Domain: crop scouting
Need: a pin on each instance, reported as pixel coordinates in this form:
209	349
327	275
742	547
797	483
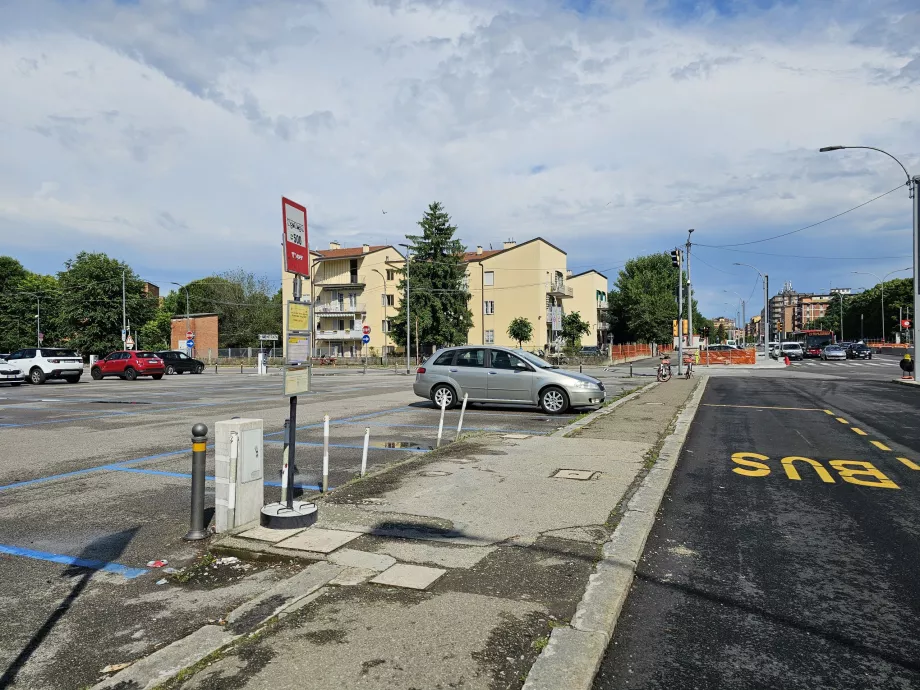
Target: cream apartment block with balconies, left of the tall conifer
351	287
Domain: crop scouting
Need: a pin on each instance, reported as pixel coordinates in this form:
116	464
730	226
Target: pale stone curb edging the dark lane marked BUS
574	653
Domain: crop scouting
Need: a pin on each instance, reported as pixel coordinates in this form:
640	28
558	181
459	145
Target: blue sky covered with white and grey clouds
165	132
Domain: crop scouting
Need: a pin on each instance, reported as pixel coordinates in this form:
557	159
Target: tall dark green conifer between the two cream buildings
439	301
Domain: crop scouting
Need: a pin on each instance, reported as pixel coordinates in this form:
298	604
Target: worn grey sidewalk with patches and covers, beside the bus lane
452	569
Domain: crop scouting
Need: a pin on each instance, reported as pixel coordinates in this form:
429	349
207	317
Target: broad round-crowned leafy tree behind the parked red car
91	302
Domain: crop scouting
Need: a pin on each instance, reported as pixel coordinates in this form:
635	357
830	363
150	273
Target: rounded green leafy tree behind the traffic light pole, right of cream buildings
643	303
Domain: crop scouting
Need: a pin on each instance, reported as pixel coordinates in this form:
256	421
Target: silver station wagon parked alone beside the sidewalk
503	375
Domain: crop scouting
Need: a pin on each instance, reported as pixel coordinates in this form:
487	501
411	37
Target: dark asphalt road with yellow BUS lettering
765	573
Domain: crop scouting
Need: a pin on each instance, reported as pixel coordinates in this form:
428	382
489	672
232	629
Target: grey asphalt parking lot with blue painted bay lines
100	472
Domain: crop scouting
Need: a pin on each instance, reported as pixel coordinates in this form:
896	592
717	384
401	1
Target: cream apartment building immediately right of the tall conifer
526	279
